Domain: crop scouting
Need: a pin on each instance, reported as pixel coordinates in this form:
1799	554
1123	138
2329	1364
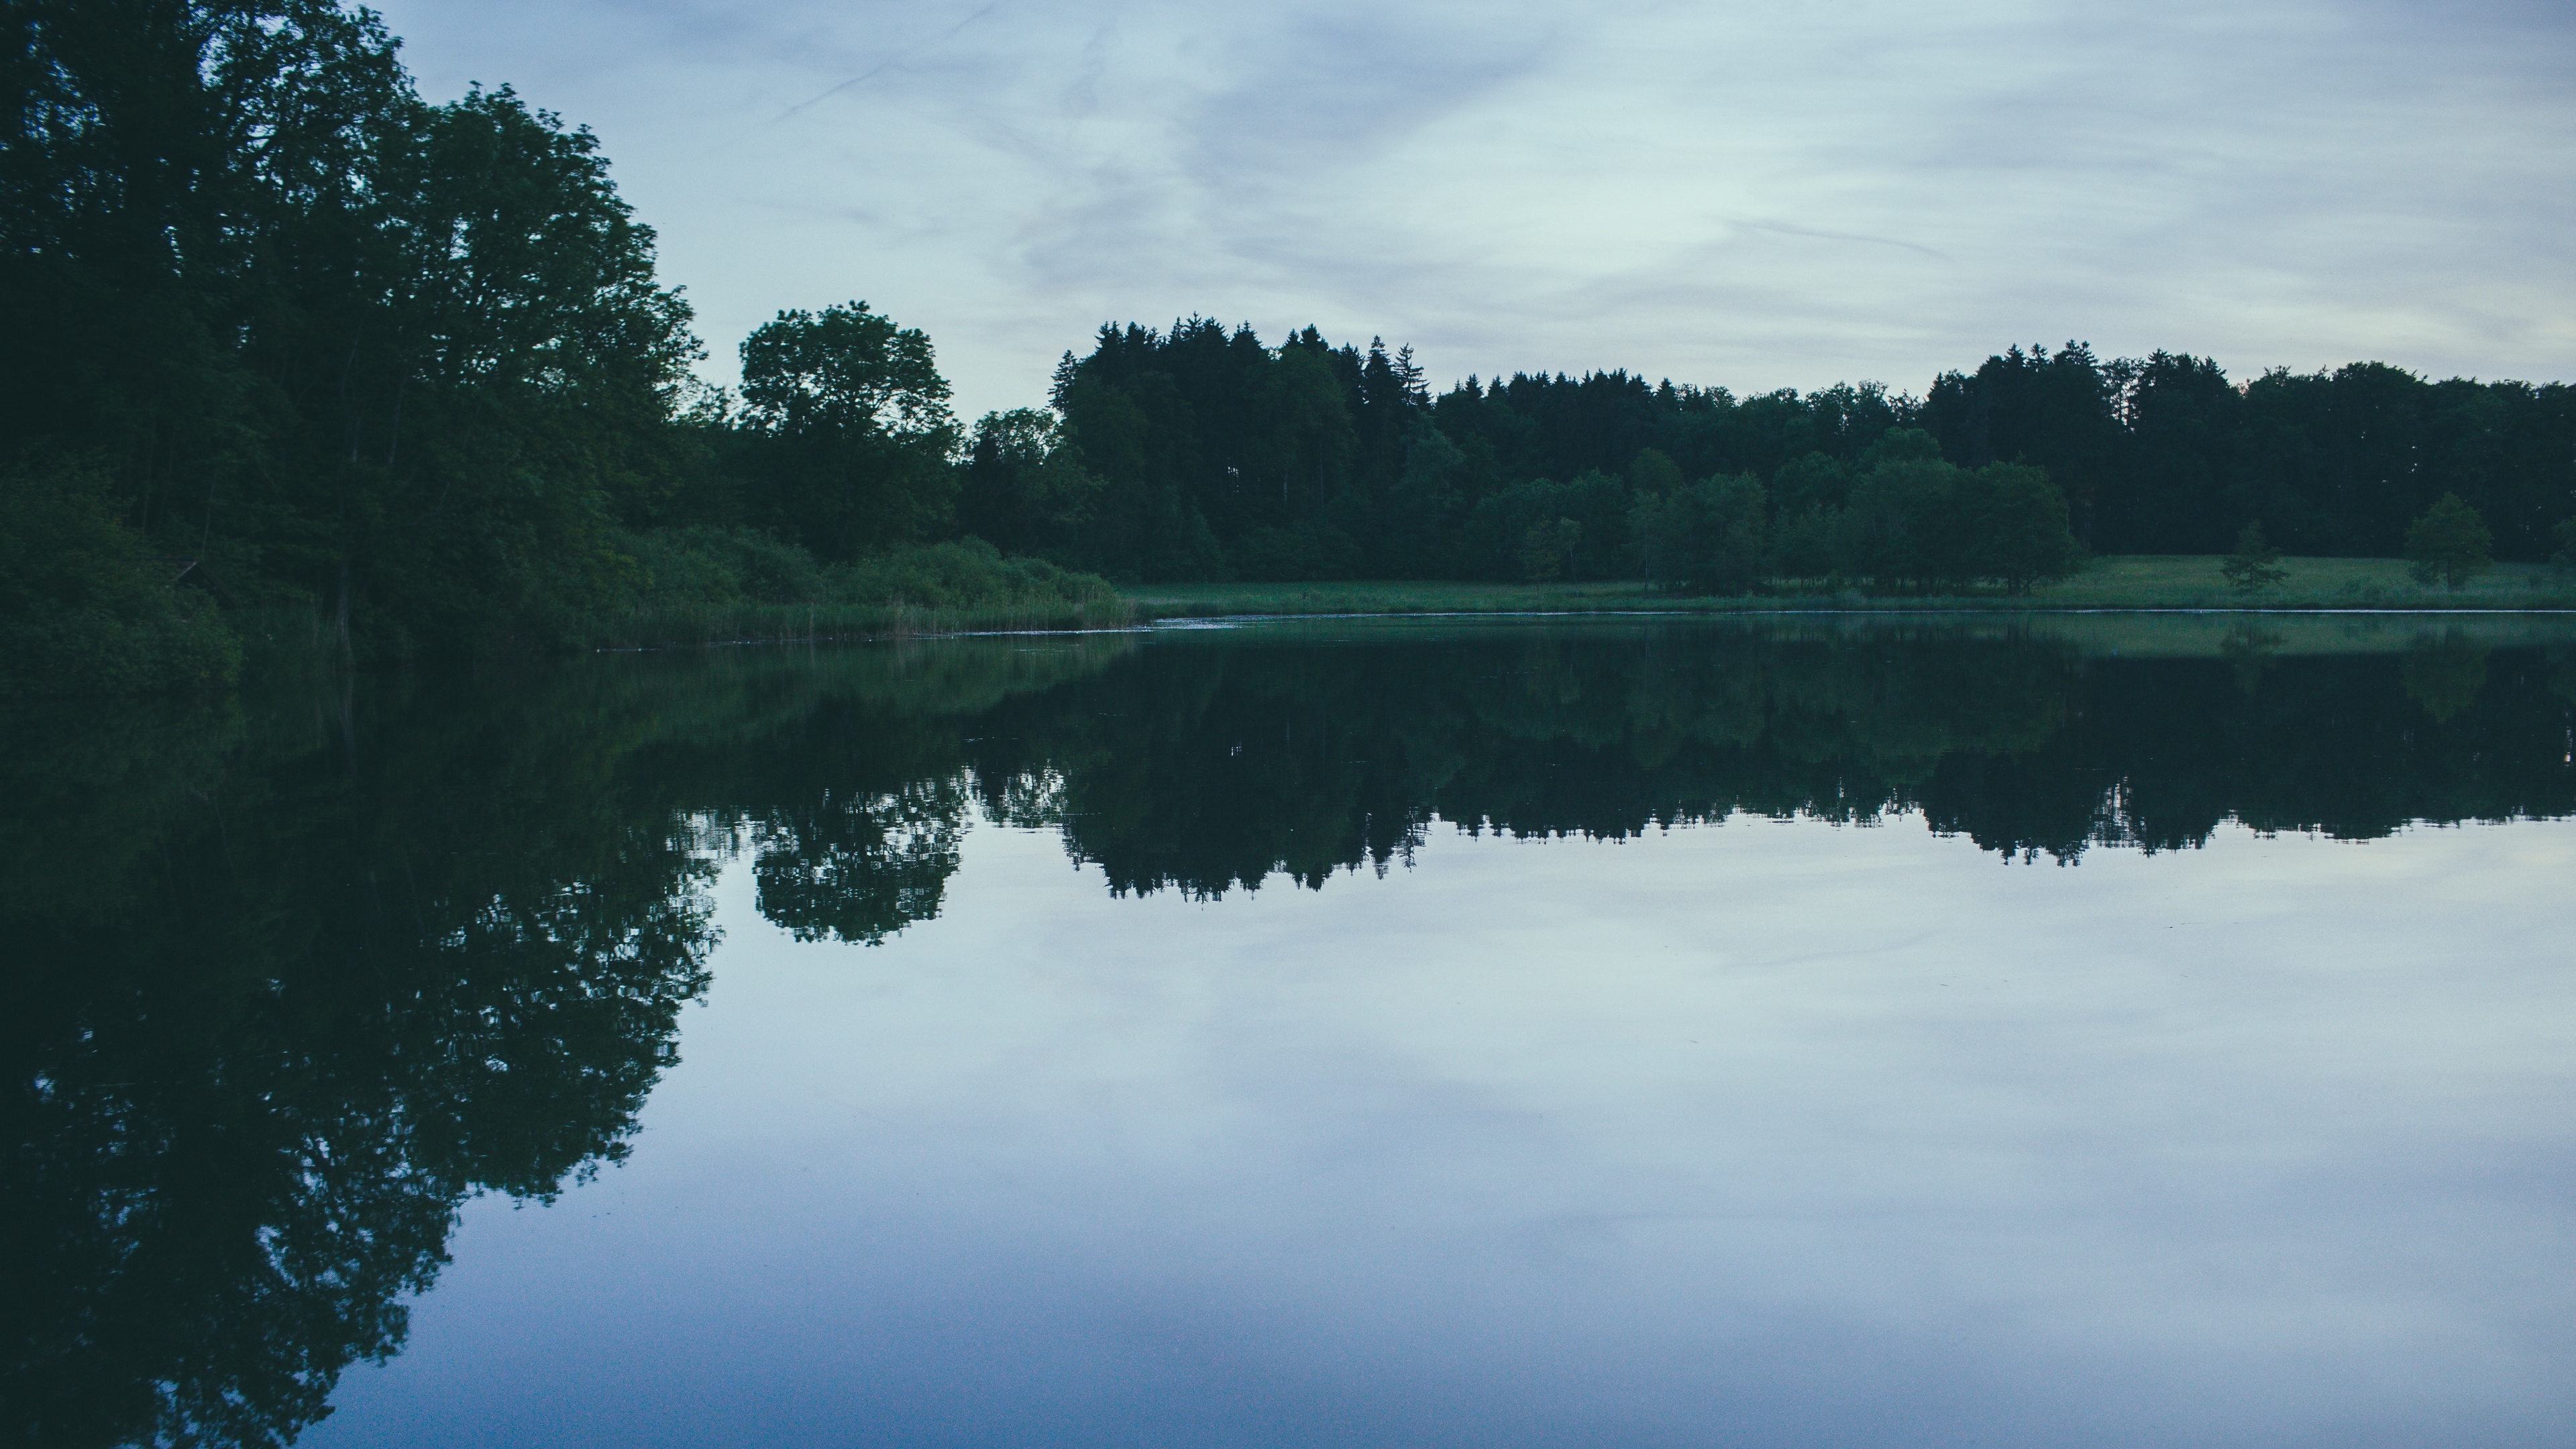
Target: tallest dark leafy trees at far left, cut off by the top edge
328	342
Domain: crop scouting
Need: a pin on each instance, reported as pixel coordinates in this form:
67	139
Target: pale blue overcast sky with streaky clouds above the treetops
1727	195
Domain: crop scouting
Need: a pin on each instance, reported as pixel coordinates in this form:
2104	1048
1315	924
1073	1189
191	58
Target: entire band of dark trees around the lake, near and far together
298	355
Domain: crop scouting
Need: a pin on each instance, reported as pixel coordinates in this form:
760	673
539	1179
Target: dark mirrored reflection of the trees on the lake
292	981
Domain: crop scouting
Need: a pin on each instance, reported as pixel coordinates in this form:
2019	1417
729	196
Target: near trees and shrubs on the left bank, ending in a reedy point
298	352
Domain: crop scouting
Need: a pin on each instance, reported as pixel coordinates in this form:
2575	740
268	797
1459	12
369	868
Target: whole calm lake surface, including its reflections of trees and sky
2103	1033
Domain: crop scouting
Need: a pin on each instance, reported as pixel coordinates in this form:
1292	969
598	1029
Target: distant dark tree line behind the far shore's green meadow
1202	452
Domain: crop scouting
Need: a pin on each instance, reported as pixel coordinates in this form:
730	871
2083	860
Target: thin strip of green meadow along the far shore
2132	581
